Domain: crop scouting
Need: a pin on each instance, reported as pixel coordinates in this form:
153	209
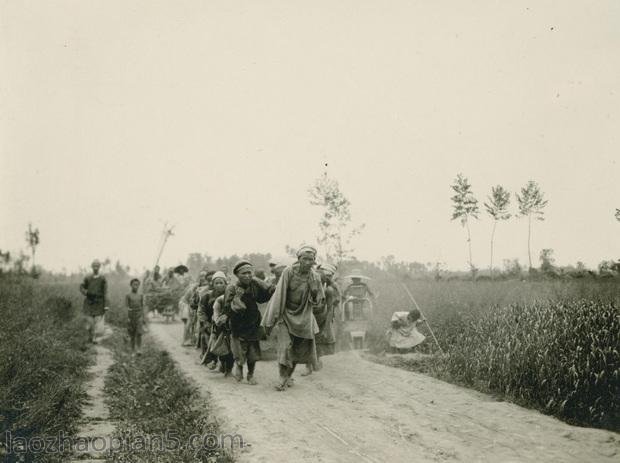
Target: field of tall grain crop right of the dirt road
552	345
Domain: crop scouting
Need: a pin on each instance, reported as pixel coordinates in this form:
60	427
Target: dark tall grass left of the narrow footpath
44	355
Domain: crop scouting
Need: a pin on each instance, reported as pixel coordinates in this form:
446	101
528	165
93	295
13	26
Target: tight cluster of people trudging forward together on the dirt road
222	317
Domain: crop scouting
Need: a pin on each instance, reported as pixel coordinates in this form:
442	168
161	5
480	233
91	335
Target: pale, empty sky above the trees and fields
217	116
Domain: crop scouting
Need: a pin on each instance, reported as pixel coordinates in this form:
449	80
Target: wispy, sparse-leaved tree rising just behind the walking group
336	227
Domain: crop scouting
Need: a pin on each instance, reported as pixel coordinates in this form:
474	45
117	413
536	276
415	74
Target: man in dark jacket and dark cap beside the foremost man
241	304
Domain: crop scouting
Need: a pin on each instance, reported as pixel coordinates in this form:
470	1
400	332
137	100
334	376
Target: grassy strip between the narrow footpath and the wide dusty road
157	410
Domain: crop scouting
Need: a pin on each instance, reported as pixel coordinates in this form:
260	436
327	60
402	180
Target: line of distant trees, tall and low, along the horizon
337	231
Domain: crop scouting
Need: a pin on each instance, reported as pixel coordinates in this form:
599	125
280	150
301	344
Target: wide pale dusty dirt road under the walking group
358	411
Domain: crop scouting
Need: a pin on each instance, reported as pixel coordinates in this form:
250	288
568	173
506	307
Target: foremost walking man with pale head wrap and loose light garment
290	314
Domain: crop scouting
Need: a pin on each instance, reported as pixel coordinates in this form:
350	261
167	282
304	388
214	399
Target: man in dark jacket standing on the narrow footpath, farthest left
95	289
